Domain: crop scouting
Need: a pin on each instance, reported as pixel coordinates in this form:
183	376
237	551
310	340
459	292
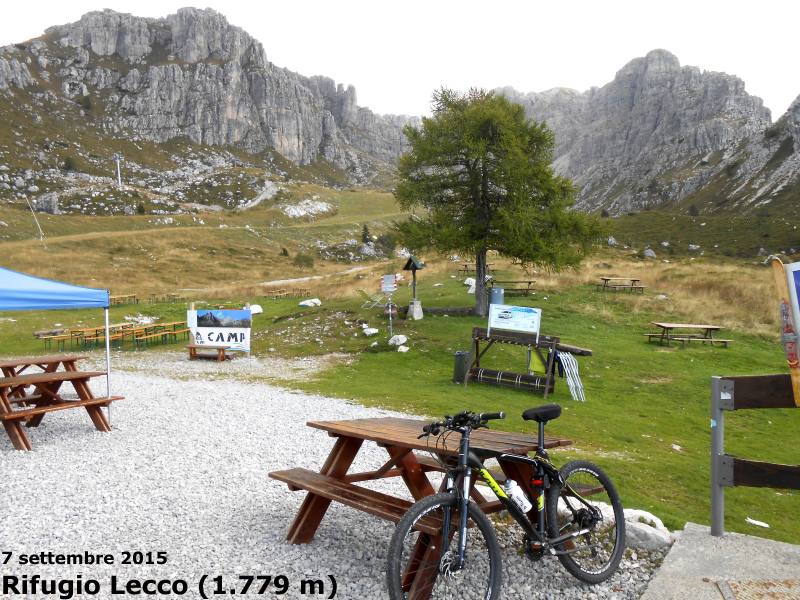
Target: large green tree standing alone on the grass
481	172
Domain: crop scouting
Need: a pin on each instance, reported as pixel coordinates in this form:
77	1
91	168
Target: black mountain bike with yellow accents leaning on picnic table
446	547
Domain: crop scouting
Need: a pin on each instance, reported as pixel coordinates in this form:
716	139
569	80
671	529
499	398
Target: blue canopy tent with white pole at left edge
26	292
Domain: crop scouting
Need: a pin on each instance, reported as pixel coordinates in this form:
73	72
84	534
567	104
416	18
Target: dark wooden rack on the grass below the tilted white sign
525	381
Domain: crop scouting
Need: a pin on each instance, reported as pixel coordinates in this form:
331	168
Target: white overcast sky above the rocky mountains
397	53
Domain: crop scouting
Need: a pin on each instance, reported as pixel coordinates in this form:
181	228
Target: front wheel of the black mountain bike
422	564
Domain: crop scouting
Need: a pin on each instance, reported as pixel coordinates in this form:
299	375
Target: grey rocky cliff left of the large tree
194	75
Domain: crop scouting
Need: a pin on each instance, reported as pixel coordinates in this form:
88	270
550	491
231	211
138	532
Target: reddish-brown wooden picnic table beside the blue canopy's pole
46	398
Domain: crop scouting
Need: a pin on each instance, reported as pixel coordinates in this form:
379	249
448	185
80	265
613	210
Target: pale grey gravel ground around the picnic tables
185	472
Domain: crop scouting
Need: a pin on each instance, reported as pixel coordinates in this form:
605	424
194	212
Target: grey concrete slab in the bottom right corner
698	560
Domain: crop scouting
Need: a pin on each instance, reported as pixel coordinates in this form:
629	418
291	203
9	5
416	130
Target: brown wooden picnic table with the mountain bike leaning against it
400	438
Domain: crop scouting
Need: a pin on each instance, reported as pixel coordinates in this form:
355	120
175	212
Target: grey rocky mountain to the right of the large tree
671	136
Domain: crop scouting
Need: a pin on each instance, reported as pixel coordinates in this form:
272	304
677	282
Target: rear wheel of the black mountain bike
594	556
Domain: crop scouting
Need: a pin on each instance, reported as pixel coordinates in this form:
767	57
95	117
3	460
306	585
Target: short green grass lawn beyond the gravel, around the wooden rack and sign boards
642	398
